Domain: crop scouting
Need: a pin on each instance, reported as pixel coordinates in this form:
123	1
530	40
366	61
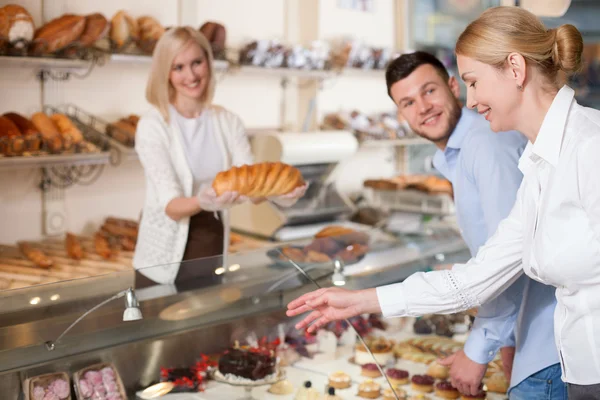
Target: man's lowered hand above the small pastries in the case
465	374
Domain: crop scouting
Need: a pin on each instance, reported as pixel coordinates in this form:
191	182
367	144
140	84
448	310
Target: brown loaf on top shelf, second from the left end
58	33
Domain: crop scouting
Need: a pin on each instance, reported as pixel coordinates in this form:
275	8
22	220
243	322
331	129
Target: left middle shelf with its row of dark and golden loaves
52	137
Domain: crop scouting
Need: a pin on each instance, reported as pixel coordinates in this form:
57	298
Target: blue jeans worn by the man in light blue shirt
543	385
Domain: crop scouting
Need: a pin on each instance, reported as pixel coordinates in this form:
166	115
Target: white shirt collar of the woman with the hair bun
549	139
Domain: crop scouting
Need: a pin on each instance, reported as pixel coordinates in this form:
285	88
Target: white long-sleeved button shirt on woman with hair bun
552	234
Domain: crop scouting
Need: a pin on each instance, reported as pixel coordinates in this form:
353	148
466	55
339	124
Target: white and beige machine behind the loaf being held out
315	154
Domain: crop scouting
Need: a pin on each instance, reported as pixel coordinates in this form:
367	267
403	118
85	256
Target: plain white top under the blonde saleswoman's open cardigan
201	147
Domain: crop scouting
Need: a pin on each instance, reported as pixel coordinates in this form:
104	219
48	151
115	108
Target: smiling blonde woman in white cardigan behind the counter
182	143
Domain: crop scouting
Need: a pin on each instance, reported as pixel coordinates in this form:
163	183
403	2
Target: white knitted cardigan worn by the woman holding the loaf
161	240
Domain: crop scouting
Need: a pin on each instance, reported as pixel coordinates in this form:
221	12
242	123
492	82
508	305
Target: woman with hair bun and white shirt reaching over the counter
512	65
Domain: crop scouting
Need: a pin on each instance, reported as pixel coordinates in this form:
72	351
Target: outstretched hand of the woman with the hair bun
332	304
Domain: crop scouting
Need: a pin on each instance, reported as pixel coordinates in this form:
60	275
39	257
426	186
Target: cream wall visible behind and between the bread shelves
117	89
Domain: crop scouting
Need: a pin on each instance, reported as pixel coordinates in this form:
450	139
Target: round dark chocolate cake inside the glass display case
253	364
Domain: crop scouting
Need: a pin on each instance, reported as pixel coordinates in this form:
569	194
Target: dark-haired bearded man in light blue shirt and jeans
483	169
